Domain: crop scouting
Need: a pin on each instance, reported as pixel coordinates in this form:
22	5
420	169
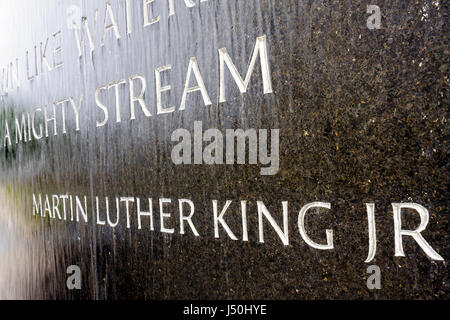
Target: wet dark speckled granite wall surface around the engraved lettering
362	118
